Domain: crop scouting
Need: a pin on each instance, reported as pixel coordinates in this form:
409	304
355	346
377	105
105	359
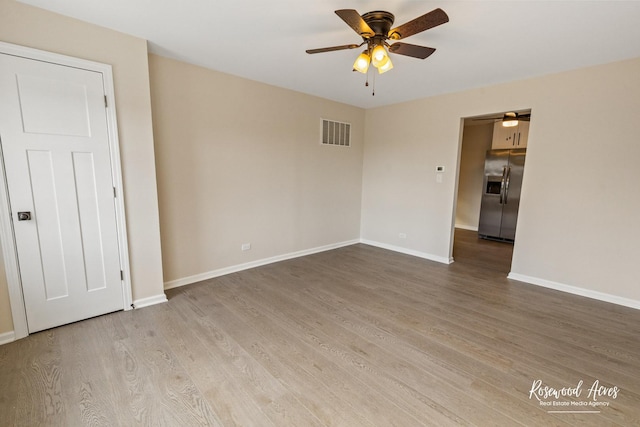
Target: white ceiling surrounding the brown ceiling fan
485	42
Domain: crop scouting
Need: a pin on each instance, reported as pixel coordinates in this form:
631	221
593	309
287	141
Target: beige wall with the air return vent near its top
241	162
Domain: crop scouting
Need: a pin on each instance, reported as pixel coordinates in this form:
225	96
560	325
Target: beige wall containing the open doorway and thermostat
577	224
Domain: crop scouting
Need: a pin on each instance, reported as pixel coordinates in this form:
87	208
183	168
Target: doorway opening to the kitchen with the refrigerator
482	235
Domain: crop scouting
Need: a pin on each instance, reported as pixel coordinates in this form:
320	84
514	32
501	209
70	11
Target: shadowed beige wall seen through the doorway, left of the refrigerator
476	140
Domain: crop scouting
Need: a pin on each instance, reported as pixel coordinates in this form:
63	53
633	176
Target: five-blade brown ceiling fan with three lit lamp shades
375	30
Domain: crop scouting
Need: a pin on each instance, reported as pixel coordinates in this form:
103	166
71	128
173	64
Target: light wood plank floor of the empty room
358	336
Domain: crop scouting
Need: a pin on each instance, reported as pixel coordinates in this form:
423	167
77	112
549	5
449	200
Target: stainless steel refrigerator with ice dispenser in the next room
501	194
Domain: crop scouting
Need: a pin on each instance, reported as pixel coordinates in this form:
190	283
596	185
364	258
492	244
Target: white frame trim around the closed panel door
7	236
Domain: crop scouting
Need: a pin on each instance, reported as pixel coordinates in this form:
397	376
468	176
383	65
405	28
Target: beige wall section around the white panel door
37	28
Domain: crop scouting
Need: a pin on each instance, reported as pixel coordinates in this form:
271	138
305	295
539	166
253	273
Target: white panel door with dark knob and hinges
55	145
